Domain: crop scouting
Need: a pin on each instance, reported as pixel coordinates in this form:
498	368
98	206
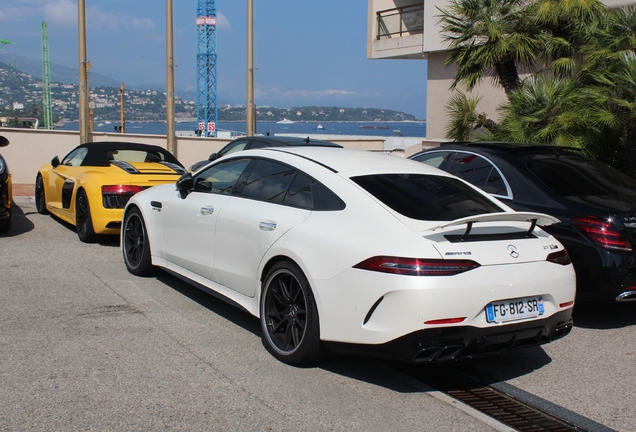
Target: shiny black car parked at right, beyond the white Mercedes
595	203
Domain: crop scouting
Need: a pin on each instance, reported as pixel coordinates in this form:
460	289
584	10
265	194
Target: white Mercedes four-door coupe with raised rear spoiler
346	251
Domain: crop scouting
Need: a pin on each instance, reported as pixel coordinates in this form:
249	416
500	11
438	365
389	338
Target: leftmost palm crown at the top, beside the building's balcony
492	38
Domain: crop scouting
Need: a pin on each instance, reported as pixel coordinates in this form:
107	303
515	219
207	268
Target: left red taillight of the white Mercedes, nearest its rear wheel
416	266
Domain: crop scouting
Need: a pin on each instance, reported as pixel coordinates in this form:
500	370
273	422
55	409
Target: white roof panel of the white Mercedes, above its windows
349	162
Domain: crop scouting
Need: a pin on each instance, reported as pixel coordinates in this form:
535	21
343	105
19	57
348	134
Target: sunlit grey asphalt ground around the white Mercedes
87	346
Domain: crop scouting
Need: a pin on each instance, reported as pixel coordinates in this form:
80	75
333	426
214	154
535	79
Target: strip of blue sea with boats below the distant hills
381	129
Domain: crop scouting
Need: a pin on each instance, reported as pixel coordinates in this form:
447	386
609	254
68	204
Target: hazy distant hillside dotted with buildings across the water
22	88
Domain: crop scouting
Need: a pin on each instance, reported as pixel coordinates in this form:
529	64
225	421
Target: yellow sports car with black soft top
90	187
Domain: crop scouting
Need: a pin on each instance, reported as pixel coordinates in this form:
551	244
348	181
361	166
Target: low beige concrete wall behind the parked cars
29	149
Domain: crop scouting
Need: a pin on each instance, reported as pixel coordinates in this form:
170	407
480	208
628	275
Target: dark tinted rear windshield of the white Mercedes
427	197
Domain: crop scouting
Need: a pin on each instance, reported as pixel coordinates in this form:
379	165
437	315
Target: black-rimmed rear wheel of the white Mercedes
289	316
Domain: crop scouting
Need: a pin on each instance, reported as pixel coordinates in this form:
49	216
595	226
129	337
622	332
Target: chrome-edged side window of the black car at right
478	171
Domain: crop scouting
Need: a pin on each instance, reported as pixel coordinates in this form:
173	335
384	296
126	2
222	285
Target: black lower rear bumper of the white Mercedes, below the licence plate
453	343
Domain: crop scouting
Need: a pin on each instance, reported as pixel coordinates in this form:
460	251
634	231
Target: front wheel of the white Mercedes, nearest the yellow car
135	244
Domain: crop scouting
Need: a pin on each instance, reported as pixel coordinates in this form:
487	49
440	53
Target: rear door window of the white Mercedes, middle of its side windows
268	181
